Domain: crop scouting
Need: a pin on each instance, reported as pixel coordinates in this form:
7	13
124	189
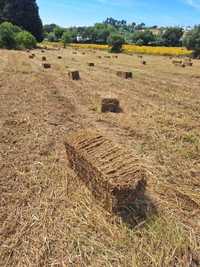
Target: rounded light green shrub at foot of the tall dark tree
25	40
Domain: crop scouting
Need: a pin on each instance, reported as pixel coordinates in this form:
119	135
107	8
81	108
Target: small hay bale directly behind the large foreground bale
110	105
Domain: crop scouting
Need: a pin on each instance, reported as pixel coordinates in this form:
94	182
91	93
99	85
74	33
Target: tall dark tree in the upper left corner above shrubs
23	13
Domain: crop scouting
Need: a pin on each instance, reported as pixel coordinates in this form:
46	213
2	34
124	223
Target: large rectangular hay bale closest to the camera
114	175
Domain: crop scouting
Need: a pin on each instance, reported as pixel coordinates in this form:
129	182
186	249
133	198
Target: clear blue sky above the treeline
151	12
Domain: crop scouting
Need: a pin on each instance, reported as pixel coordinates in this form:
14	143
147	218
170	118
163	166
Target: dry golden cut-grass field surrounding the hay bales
47	216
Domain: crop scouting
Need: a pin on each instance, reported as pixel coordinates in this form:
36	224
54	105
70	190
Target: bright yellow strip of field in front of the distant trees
150	50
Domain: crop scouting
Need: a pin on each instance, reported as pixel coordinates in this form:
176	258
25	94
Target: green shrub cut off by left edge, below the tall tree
7	35
